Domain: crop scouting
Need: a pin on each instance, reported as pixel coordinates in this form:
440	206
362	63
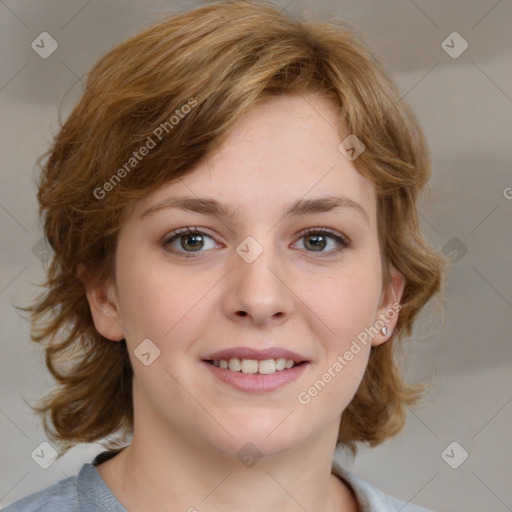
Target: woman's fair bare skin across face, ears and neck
189	425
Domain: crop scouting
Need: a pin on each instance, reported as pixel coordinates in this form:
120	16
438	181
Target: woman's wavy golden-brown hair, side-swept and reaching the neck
222	59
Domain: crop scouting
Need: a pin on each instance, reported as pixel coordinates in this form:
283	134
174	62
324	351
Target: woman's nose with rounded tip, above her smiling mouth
259	291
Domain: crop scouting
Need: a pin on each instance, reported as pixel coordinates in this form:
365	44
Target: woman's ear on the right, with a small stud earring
389	307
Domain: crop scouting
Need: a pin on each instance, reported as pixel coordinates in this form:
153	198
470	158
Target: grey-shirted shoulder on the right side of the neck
370	498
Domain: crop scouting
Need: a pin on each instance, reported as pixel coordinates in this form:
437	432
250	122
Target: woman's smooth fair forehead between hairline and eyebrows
282	150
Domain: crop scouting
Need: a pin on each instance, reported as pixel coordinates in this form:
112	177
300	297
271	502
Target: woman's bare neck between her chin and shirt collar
178	475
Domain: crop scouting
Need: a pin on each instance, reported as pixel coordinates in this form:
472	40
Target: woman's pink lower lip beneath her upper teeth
256	382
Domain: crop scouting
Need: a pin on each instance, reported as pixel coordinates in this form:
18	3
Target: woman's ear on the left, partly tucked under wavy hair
103	303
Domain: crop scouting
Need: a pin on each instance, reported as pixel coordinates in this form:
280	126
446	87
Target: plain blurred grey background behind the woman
465	107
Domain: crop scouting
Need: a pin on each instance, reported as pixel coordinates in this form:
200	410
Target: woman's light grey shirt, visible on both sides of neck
87	492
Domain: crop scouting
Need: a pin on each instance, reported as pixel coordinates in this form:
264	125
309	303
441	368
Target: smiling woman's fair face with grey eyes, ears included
273	274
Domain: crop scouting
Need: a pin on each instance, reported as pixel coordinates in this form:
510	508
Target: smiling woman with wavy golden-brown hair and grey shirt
236	256
